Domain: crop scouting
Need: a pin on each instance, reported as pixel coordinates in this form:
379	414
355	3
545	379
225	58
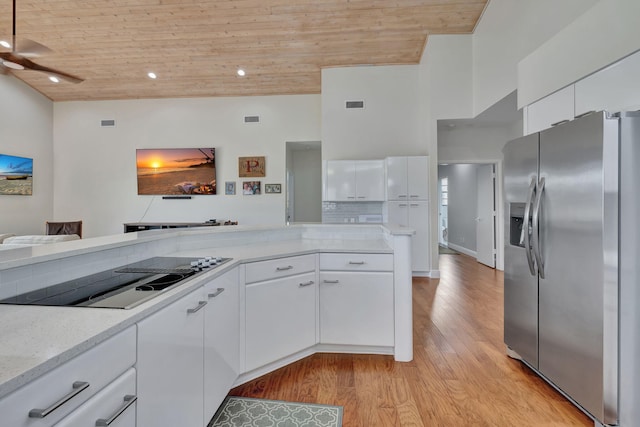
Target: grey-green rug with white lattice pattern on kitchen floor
248	412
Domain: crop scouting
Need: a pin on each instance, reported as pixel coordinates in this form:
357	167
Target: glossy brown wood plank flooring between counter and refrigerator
460	375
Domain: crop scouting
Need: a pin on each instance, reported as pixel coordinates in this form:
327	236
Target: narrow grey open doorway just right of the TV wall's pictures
303	201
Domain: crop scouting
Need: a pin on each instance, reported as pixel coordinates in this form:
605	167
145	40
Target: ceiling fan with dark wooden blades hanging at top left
18	59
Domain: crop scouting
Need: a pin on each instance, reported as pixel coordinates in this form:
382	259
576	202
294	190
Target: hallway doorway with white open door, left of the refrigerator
467	210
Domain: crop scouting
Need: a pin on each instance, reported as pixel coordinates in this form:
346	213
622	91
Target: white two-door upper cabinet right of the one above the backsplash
408	178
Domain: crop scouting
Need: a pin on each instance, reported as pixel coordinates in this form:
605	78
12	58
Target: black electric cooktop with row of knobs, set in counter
122	287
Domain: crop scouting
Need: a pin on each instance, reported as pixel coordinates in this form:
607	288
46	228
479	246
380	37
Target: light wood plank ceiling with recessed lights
196	47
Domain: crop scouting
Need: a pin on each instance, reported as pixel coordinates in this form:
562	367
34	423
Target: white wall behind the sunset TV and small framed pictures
95	171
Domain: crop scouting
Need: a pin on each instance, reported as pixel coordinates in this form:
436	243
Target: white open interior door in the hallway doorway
485	220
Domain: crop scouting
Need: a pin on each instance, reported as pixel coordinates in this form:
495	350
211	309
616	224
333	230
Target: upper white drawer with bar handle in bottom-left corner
97	367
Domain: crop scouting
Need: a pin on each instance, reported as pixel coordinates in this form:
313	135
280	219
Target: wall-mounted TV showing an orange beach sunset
176	171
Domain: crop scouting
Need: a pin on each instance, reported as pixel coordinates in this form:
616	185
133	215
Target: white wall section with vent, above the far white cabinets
389	124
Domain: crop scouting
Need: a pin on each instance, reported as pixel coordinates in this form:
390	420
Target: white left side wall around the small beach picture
26	123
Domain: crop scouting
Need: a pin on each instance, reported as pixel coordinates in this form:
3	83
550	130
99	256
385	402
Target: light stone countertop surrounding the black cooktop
31	344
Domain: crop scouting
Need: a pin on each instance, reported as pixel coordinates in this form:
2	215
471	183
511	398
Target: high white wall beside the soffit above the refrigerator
509	31
